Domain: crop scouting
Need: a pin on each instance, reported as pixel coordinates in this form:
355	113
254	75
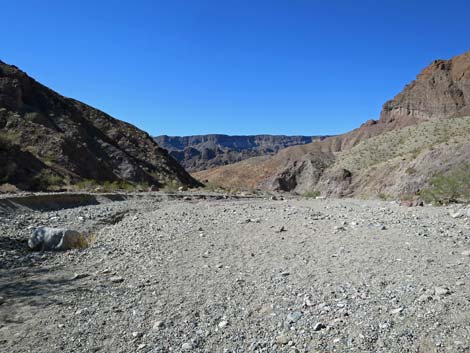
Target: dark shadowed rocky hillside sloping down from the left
48	141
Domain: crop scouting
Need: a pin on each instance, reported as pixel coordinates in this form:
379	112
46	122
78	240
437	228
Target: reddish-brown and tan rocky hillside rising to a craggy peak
421	132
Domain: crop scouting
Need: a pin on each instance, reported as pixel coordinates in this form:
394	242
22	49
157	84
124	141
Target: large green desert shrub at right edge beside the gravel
450	187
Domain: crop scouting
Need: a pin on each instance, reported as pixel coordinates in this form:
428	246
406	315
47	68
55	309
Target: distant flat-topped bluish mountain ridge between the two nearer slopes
208	151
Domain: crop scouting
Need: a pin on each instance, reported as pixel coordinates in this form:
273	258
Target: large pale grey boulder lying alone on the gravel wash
56	239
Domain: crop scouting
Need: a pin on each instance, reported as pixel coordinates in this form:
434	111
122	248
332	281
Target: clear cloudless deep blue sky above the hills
232	66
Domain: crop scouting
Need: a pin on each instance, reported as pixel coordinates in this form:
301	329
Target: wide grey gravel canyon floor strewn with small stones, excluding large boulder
208	274
